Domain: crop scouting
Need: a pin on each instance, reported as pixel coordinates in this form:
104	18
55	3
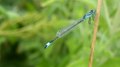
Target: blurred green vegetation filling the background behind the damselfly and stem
27	25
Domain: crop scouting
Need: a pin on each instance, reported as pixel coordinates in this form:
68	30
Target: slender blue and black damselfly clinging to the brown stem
90	15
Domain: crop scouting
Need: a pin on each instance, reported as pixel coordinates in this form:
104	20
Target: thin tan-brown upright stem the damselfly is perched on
95	32
